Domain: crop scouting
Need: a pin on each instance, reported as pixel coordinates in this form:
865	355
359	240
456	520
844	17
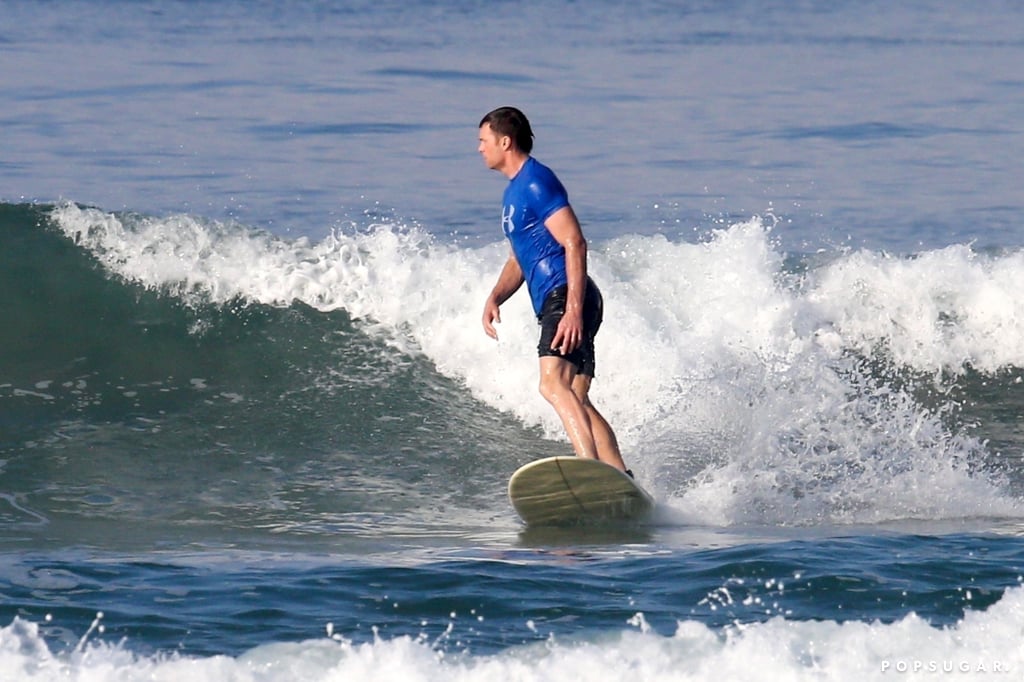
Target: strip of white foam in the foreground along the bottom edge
984	646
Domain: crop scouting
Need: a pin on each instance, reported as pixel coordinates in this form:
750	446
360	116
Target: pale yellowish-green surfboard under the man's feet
559	491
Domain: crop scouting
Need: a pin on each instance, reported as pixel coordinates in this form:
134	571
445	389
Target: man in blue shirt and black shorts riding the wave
549	253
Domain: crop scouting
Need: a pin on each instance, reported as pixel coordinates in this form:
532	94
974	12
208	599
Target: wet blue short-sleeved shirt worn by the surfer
531	198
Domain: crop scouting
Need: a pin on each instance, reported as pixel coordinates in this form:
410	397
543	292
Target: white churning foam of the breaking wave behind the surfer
739	390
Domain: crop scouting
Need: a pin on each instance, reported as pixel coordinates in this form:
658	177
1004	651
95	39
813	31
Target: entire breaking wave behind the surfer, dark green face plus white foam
748	386
